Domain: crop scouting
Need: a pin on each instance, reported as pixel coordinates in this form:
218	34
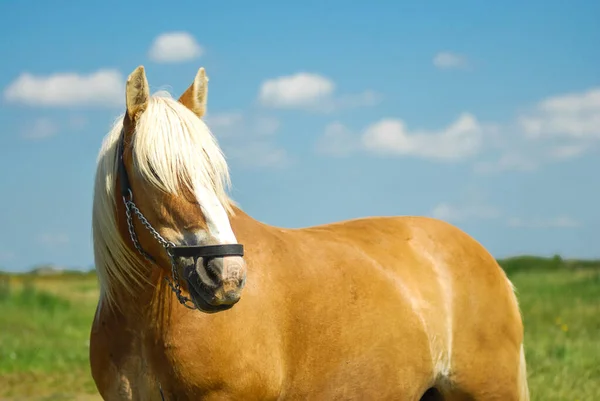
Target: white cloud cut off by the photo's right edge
573	115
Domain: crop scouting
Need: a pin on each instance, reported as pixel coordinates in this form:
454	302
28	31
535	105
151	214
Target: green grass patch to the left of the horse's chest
44	337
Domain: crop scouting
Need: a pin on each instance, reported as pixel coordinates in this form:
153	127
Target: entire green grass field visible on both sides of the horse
45	323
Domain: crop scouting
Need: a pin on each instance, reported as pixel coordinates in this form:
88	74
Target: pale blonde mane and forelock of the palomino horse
172	149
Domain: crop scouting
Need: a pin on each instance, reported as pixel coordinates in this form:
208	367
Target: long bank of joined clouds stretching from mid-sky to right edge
557	129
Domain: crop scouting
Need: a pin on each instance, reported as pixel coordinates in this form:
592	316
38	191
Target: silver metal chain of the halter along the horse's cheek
175	286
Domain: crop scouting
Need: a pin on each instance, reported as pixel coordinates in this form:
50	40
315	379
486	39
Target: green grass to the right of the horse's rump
560	301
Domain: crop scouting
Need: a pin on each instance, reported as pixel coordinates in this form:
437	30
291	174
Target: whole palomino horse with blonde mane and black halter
199	301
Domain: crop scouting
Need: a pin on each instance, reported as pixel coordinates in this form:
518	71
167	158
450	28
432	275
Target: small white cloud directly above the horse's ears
175	47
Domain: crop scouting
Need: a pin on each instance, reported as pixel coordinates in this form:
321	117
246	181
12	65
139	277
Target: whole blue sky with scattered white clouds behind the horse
484	114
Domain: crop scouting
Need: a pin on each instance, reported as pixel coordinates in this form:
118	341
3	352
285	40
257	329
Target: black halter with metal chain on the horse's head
204	251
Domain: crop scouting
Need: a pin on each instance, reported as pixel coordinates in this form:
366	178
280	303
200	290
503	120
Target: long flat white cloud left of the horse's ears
104	87
